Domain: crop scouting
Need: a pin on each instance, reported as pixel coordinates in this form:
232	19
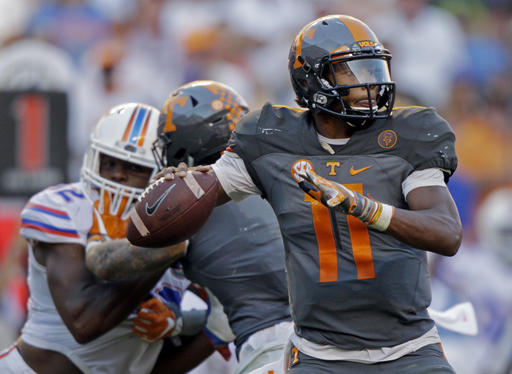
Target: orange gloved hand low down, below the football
156	320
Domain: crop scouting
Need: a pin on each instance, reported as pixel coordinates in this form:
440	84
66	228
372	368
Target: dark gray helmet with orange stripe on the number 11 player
328	43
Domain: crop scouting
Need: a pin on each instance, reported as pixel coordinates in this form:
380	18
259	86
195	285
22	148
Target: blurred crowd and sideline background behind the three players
63	63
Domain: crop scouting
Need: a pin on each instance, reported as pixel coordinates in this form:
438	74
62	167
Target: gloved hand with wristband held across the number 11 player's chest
334	195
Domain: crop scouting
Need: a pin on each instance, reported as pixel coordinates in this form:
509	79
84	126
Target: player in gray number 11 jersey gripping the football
358	188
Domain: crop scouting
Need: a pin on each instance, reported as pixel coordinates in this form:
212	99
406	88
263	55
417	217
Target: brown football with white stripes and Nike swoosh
170	211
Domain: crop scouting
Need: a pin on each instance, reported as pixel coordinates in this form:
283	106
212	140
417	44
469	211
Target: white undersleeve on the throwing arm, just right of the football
234	177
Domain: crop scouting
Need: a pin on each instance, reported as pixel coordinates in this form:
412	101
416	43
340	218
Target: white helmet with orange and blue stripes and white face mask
126	132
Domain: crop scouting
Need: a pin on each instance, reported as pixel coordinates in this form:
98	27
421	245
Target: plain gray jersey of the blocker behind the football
238	254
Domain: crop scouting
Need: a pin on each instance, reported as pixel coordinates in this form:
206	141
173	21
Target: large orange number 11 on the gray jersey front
359	236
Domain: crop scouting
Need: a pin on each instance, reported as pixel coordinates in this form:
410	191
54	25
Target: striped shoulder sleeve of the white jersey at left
59	214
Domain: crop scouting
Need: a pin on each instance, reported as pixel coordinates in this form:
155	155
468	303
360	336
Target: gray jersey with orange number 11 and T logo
349	286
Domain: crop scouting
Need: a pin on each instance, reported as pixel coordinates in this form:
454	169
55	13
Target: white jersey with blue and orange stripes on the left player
63	214
